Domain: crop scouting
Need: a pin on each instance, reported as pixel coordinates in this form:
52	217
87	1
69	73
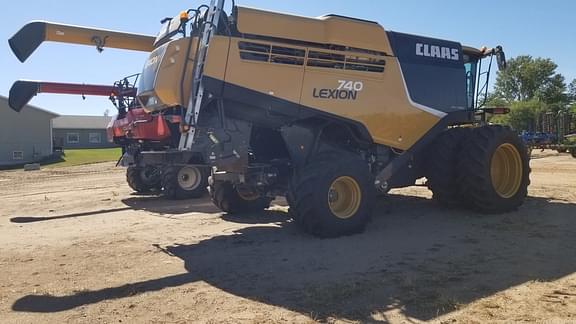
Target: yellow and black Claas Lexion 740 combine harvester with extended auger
324	111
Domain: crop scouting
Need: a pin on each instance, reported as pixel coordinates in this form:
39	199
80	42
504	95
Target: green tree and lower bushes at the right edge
532	87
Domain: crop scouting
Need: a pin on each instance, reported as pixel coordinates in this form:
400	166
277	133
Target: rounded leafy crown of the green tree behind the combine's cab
527	78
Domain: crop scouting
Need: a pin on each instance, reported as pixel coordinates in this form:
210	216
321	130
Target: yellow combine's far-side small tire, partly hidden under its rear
227	198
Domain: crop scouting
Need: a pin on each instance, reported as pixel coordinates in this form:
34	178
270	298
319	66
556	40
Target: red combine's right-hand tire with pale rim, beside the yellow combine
184	182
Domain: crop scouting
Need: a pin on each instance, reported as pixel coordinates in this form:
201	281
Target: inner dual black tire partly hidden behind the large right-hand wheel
441	170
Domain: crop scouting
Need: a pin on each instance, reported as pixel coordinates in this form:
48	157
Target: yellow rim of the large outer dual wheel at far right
506	170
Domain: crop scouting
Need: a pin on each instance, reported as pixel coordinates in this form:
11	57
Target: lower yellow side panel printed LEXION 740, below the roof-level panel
382	106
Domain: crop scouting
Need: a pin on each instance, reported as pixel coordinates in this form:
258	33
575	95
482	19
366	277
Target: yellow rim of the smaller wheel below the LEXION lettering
344	197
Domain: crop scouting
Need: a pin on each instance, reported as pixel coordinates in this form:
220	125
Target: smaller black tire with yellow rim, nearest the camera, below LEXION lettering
332	196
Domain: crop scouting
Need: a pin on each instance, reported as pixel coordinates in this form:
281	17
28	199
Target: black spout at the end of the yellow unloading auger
27	39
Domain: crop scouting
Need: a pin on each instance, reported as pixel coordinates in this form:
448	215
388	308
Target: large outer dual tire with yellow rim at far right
494	170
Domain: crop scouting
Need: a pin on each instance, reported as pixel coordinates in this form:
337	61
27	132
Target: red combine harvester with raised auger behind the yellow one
135	130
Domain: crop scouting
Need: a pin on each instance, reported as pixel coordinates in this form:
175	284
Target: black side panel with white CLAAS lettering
433	70
